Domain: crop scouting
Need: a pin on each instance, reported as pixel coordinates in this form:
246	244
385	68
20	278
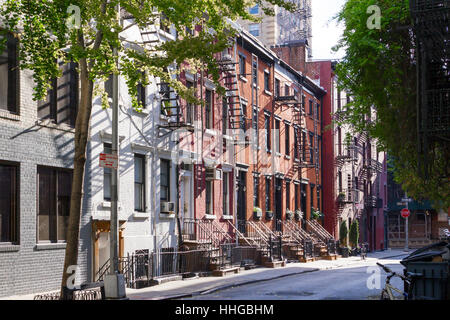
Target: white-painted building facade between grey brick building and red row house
147	175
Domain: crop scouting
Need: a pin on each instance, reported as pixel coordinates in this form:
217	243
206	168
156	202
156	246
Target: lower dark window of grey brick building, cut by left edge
9	192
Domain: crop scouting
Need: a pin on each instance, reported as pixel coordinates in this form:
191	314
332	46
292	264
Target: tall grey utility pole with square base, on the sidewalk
114	282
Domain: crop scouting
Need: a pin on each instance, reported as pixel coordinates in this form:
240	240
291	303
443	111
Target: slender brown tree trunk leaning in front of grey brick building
81	136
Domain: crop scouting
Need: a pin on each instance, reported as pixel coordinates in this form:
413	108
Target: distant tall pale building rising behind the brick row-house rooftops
284	26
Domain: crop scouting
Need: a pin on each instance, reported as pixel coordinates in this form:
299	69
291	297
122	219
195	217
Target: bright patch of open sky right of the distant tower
326	33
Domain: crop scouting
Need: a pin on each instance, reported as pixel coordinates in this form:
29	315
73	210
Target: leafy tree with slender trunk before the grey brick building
47	36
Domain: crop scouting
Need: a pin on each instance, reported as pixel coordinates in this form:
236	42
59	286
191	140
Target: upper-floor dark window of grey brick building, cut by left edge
9	76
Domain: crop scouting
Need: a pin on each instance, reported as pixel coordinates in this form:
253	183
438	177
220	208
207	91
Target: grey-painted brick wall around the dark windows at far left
28	266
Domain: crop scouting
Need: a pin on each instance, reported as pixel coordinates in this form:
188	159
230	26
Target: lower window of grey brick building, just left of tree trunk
54	189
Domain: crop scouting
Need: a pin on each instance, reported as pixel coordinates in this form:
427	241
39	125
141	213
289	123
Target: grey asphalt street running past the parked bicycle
347	283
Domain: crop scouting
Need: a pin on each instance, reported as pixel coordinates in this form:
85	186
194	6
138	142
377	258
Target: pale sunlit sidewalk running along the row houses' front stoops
204	285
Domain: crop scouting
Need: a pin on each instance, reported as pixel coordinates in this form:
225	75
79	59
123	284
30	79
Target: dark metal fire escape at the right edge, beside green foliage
430	22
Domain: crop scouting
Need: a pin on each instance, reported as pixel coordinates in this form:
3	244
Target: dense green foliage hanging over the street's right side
379	71
